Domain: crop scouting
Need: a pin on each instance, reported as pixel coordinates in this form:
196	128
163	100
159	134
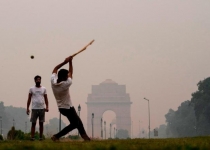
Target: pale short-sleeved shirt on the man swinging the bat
61	91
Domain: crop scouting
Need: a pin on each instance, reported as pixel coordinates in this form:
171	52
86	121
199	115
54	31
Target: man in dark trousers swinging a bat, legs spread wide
60	85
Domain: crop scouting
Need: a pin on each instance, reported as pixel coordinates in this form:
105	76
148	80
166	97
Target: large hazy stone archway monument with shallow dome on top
108	95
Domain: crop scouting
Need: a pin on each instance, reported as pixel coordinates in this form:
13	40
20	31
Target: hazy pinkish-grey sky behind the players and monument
159	49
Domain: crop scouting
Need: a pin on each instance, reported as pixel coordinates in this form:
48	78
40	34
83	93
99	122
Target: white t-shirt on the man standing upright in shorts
37	97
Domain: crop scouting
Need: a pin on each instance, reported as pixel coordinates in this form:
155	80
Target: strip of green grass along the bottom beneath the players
132	144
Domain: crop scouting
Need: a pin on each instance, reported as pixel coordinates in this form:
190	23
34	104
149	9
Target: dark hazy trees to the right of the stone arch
192	118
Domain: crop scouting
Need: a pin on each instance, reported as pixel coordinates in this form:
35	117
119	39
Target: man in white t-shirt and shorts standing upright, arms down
38	96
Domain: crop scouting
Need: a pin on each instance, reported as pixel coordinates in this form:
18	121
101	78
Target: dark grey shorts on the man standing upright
37	113
